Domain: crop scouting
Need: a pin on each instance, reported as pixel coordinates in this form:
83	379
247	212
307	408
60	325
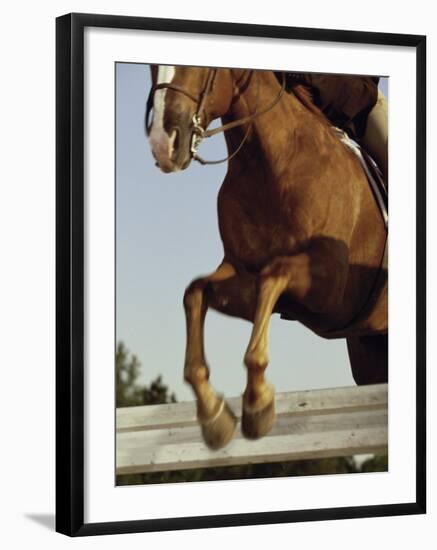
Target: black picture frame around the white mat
70	273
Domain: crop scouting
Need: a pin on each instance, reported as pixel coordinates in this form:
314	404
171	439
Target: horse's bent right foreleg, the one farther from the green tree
315	279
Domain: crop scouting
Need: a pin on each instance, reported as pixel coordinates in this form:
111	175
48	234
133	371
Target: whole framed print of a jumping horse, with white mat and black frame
229	350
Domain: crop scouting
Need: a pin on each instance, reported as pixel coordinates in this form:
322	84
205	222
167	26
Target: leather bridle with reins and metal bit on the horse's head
198	131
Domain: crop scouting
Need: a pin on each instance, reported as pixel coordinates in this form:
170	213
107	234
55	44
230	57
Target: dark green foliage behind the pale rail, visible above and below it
130	393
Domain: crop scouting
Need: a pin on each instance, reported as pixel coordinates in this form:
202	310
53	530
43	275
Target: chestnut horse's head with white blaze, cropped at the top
185	100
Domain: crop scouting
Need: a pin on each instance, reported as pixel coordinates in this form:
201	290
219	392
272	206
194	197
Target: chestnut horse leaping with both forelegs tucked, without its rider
301	231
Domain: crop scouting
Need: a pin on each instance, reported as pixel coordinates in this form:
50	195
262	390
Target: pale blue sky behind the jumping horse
166	235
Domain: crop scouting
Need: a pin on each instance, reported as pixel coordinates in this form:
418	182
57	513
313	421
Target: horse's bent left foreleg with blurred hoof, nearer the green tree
216	419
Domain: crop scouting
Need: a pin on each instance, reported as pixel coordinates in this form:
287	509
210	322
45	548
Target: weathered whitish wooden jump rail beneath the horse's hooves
309	424
